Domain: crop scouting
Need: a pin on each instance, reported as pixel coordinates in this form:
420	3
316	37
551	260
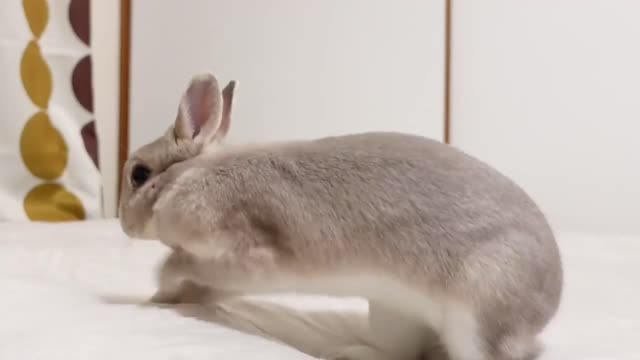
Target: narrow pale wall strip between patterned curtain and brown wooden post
105	48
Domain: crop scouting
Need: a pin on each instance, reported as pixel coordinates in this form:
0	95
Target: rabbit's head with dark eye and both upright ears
203	120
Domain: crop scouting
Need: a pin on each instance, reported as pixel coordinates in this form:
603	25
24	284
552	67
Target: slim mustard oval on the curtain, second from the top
36	75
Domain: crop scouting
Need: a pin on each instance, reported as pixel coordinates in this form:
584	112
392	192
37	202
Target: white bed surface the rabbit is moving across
65	289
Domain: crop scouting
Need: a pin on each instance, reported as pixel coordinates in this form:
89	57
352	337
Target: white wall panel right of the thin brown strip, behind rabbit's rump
549	92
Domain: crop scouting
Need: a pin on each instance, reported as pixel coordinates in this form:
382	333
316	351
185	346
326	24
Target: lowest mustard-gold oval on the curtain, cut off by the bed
52	203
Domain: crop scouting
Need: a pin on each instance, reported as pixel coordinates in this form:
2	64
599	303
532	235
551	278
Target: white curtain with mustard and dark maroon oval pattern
48	144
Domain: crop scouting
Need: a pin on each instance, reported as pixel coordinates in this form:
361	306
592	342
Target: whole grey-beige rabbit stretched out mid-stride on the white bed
448	252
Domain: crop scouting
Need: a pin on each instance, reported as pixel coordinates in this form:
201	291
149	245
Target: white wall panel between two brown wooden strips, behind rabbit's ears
306	68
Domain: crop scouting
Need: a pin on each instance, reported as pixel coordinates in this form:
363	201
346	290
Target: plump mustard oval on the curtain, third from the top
42	148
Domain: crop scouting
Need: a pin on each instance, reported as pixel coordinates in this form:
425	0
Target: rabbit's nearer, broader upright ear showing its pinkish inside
200	111
